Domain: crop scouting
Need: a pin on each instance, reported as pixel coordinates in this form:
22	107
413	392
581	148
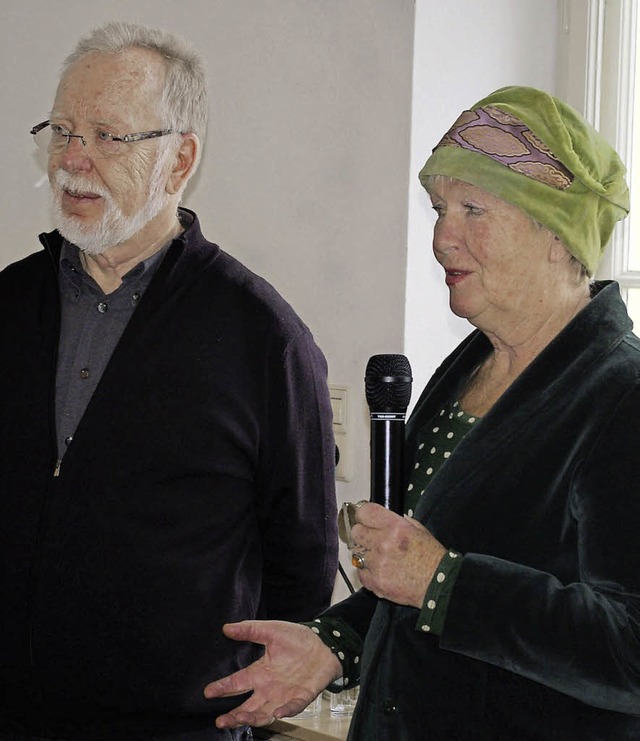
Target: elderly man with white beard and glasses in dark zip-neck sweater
167	453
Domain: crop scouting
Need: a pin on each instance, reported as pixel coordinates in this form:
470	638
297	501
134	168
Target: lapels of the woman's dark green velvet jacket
545	385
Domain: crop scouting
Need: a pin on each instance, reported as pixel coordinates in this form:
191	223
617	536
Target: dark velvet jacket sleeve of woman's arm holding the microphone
581	638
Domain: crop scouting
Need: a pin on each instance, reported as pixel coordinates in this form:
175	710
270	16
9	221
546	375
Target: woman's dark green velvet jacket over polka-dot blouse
542	496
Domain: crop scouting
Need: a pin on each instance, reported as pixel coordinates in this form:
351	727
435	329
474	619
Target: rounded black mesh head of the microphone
387	383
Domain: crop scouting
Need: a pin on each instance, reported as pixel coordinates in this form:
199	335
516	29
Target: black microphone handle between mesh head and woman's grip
387	459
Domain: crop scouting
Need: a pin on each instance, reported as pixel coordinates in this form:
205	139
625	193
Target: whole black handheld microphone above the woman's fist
388	390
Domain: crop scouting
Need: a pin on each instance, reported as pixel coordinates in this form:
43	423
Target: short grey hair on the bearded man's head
184	104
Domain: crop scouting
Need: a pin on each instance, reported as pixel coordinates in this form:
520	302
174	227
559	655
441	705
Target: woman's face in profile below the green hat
496	260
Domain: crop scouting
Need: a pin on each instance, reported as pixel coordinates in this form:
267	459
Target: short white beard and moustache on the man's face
114	227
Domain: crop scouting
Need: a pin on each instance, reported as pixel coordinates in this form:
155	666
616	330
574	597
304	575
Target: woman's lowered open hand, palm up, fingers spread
295	668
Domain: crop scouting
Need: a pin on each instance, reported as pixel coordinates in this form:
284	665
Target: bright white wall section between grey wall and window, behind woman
463	51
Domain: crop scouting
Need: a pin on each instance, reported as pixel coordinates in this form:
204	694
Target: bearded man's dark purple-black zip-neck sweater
199	489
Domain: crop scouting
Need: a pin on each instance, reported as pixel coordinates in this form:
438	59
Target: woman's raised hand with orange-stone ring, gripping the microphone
400	555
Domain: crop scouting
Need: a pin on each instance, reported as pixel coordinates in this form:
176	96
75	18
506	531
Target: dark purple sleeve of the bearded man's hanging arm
298	511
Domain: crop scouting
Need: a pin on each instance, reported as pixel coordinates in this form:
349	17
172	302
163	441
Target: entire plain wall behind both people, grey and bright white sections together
310	170
